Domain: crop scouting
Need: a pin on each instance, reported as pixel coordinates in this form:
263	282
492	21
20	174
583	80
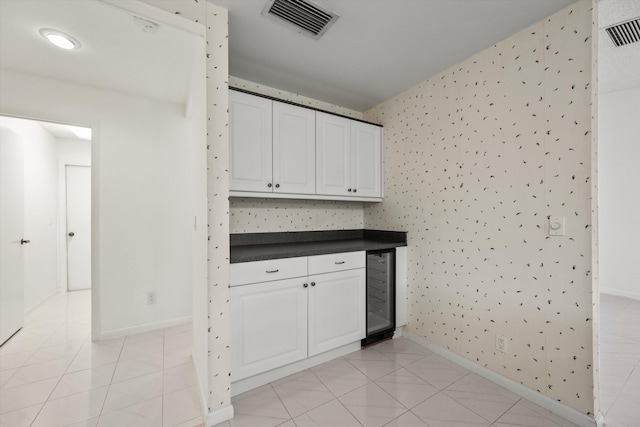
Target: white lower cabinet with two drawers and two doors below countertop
279	322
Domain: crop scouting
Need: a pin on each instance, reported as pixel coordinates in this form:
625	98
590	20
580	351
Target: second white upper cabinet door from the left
294	135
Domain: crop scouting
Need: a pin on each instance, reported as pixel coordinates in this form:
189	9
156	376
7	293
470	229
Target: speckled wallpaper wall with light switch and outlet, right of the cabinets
476	159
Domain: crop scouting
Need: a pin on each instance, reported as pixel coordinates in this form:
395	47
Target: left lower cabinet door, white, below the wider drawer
268	326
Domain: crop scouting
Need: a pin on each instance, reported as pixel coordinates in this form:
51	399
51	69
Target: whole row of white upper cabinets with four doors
280	150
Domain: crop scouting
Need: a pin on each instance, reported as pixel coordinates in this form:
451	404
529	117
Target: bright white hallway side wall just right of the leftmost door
40	211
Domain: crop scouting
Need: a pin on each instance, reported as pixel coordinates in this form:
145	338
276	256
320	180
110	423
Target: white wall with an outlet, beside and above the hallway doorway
141	183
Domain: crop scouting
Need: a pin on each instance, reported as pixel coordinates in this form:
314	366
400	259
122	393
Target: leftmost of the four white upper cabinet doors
250	143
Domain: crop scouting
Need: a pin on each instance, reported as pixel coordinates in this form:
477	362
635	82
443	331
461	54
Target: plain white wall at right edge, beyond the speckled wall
619	196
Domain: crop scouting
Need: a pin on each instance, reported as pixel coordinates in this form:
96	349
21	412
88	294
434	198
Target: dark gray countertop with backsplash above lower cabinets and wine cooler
262	246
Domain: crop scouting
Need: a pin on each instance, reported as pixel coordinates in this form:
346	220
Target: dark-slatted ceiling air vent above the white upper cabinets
305	16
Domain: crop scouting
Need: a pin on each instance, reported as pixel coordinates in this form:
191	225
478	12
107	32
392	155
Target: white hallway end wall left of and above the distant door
69	152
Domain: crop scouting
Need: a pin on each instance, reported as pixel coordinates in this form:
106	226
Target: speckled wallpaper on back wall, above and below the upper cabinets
249	215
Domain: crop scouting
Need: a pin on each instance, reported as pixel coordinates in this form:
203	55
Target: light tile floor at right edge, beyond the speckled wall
620	361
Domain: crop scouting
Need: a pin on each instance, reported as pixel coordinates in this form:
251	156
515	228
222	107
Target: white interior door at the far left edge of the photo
11	229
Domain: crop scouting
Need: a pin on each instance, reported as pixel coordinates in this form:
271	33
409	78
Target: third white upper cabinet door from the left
333	155
